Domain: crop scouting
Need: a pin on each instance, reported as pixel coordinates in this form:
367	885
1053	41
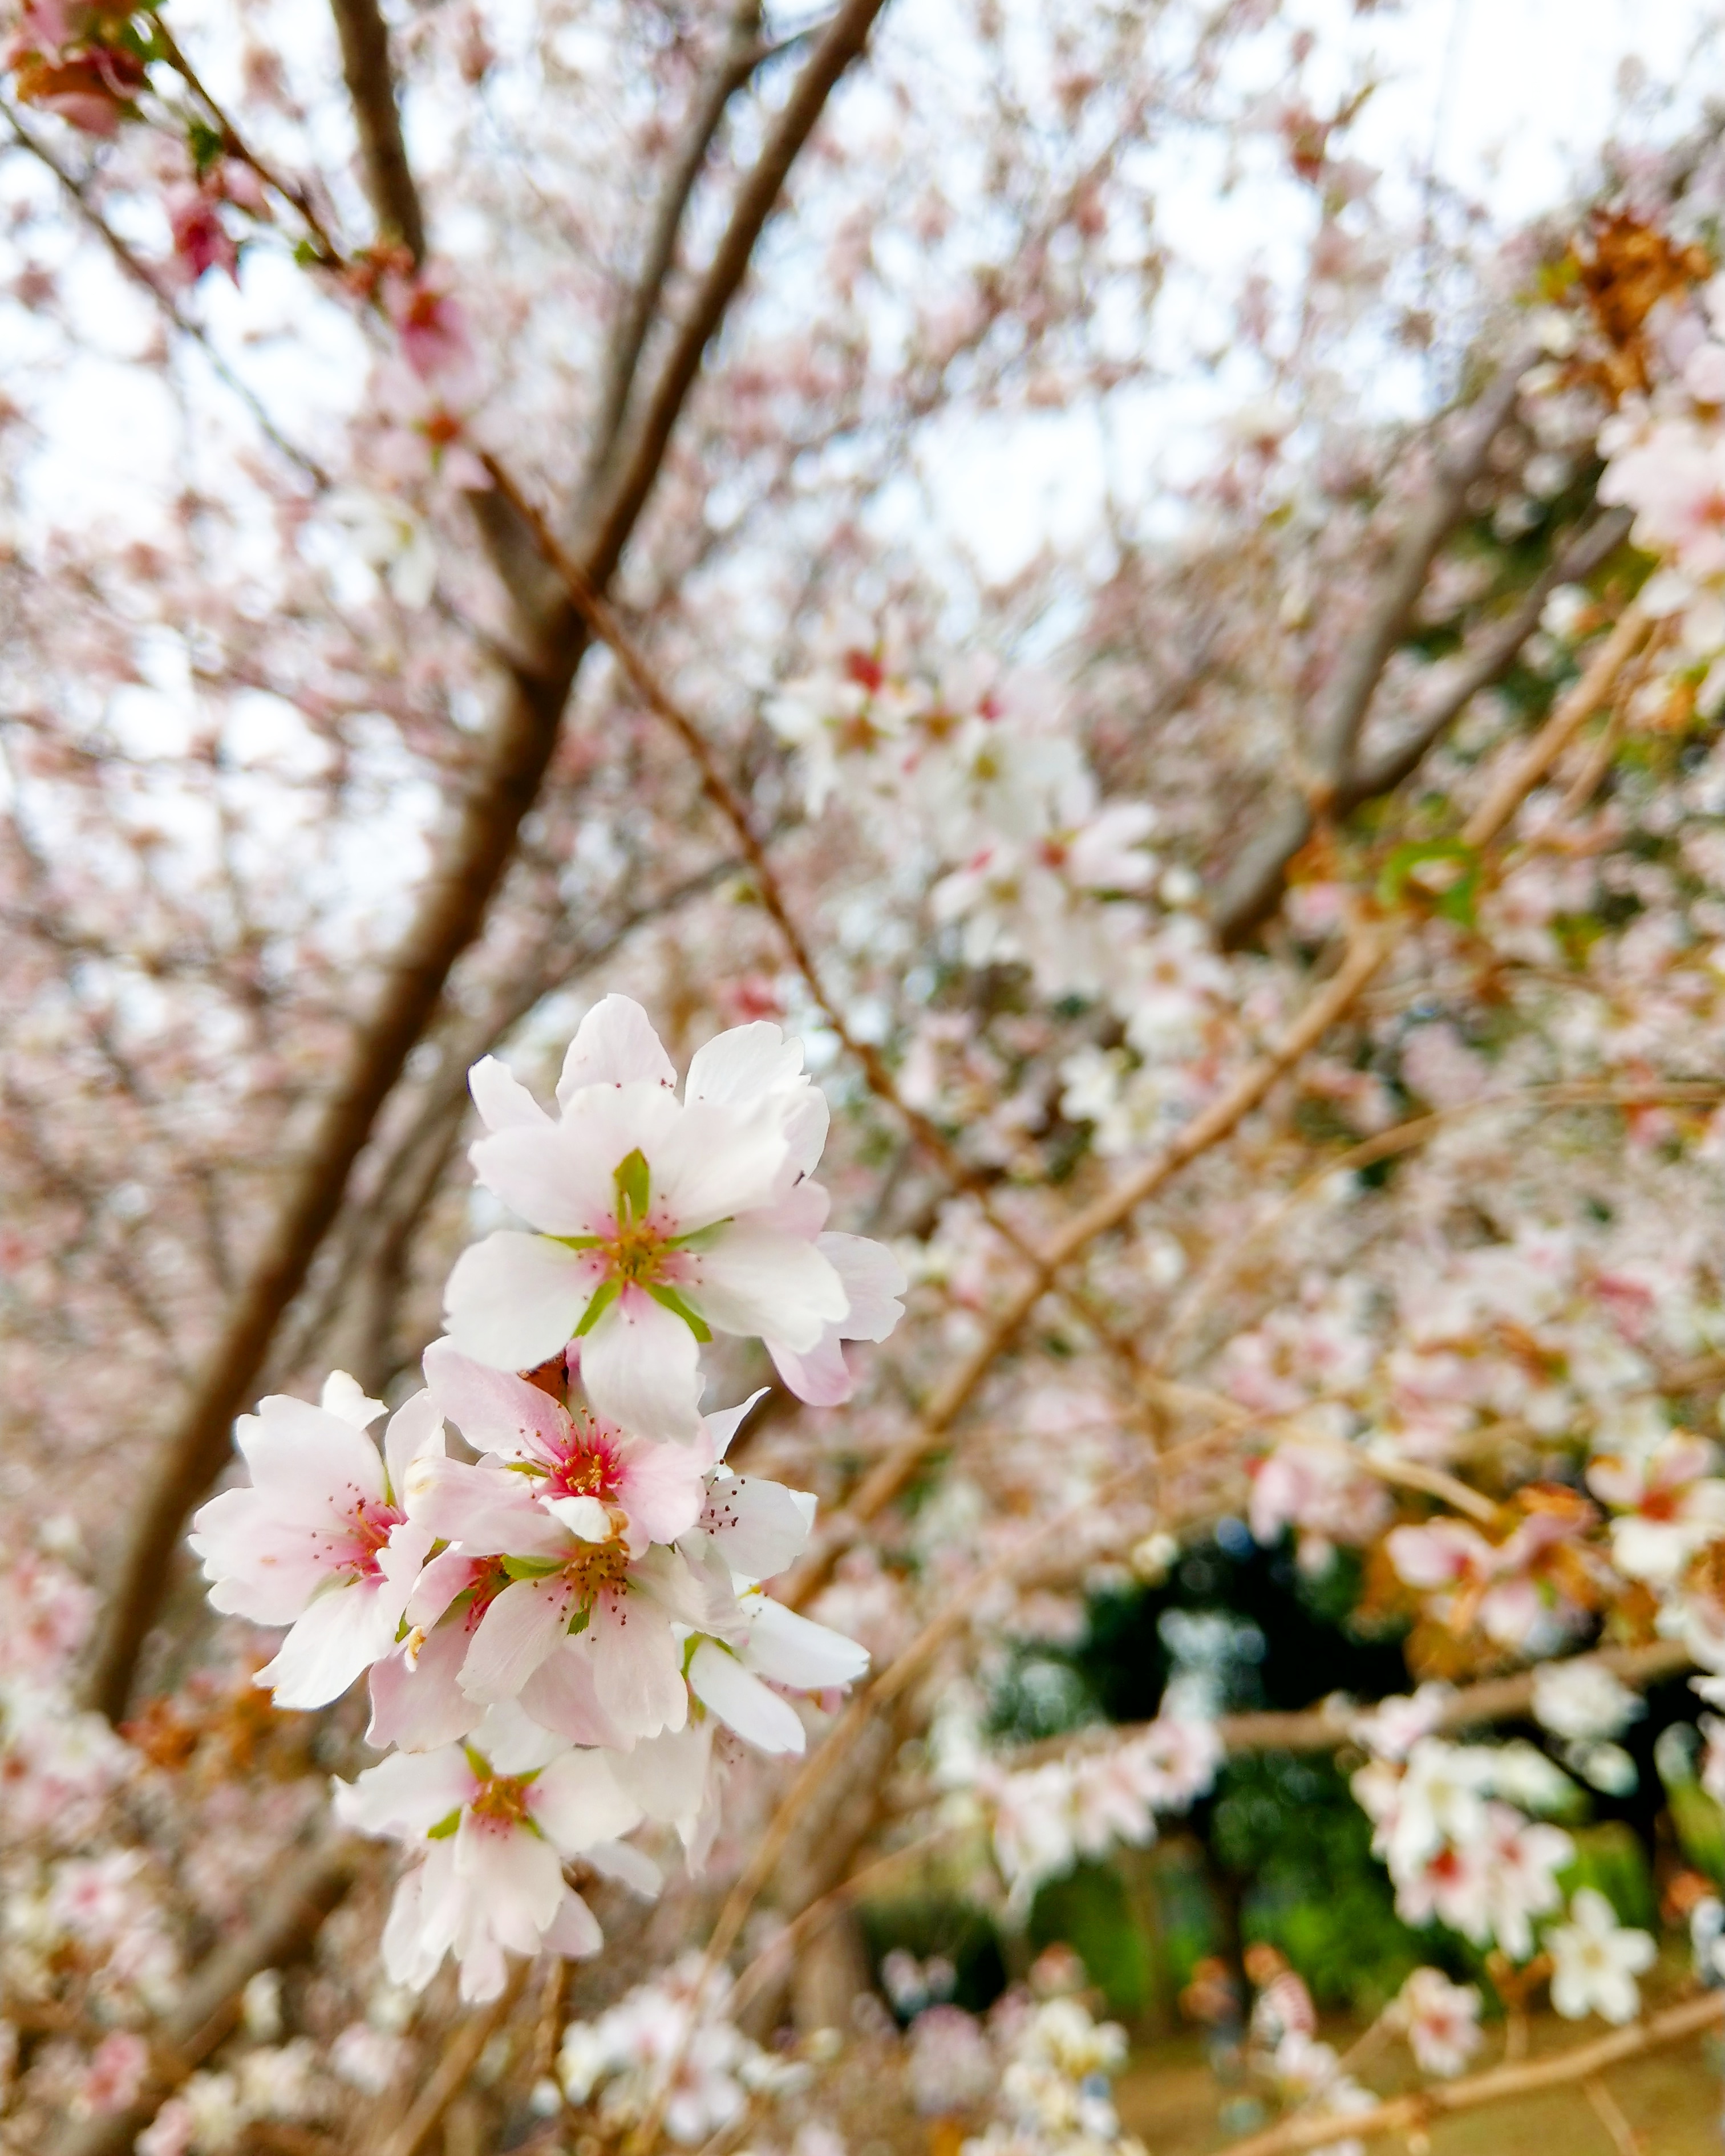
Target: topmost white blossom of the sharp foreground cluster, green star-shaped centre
657	1219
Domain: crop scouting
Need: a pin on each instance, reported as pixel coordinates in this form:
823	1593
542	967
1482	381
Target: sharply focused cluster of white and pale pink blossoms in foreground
568	1631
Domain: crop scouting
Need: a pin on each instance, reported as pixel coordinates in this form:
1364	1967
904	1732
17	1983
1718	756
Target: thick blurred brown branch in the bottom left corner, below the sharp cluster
210	2006
